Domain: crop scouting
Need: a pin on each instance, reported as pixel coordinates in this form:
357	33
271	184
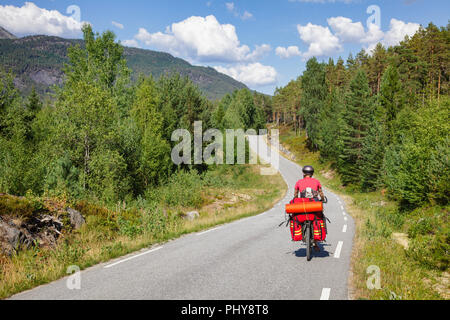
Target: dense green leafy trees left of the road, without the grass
105	136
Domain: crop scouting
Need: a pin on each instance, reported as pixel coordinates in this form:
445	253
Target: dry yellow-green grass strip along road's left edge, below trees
114	231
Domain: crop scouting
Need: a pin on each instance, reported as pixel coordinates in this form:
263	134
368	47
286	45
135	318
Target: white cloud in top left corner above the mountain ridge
30	19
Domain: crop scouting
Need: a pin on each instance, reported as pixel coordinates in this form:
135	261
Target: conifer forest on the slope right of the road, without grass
381	119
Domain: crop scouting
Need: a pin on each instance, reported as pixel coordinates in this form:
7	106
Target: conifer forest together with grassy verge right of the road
377	128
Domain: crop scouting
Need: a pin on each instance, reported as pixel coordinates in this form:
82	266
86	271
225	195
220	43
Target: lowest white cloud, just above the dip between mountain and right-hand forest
253	75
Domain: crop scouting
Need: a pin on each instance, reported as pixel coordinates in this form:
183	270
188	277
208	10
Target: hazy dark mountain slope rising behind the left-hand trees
38	61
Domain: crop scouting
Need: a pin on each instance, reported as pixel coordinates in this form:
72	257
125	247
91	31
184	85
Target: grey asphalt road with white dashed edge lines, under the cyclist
249	259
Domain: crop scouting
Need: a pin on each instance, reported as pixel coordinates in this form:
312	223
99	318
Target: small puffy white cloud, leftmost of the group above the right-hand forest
320	39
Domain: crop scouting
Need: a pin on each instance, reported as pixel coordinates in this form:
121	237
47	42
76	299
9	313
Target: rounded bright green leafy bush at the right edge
416	165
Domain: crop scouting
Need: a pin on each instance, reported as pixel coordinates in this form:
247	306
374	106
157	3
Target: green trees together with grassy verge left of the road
102	146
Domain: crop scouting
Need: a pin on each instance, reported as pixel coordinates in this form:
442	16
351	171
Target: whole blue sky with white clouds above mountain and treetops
248	40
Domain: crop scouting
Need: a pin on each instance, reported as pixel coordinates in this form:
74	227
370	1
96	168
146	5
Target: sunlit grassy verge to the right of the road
416	273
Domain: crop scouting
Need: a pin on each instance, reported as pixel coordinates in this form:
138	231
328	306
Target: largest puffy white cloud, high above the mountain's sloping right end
202	39
